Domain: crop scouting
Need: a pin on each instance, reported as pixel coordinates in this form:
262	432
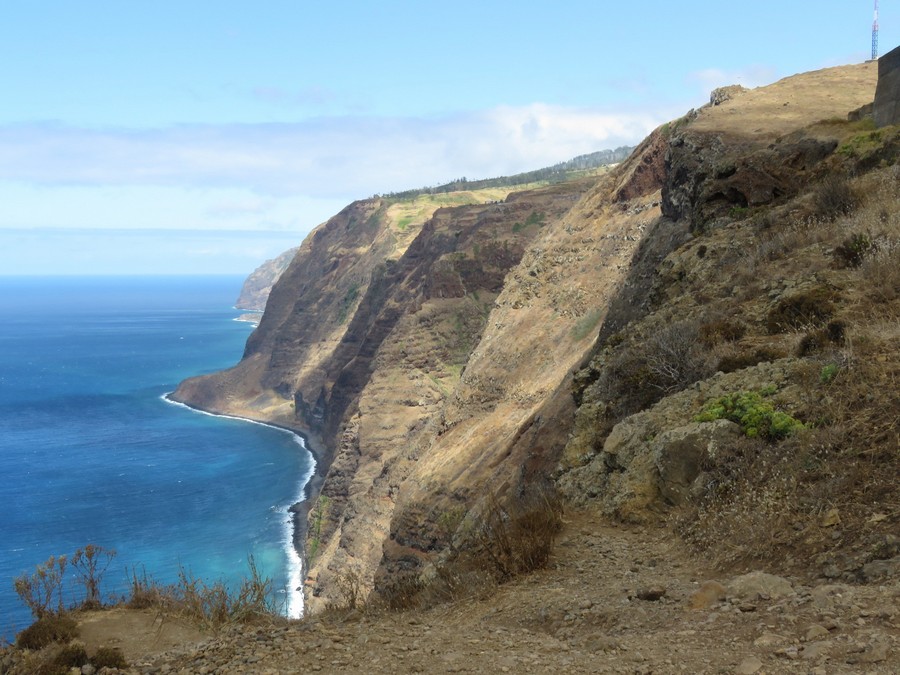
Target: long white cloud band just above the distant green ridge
338	157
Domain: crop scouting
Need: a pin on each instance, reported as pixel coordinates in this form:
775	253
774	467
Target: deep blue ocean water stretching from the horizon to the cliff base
91	453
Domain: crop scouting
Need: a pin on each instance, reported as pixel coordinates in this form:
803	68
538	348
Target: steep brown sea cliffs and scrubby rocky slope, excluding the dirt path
575	332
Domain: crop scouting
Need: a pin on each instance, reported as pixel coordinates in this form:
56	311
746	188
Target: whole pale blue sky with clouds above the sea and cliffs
200	137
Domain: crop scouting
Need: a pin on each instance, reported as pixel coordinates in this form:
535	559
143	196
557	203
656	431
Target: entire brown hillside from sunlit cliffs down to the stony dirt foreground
693	358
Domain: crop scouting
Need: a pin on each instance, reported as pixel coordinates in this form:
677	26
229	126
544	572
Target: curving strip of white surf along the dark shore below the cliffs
299	510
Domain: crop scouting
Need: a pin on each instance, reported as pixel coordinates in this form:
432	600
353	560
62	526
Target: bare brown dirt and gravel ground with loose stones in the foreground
615	599
